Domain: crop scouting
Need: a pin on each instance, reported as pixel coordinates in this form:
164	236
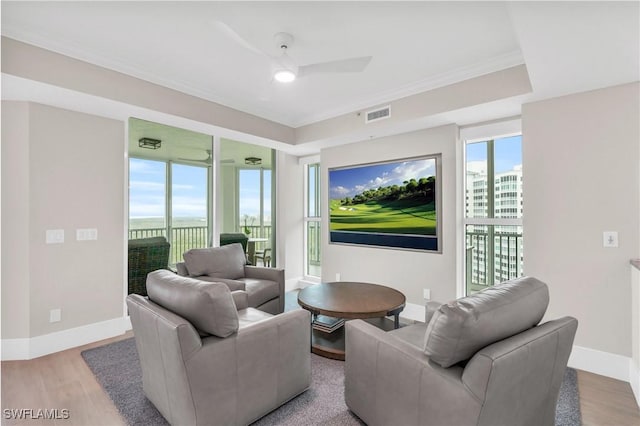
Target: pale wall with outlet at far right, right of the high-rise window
580	155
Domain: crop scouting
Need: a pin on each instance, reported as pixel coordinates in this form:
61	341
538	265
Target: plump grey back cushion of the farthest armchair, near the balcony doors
217	262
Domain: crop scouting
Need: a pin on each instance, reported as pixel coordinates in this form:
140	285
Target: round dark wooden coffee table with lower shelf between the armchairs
349	300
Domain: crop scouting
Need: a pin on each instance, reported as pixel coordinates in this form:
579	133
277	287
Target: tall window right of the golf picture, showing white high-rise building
493	222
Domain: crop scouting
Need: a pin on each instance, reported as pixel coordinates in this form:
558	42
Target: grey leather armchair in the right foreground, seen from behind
479	360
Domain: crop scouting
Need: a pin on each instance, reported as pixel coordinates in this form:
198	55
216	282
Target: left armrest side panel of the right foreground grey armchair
377	361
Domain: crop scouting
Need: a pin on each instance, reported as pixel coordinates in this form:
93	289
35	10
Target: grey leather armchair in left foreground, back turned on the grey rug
209	359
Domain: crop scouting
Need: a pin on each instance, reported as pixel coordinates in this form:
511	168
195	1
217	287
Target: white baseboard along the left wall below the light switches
29	348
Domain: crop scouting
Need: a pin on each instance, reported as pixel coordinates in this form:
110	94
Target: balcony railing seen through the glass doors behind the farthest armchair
186	238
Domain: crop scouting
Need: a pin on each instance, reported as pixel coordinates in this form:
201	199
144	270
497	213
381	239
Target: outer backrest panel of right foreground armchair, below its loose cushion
518	378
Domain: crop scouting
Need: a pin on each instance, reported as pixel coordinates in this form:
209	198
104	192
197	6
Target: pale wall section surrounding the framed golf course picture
407	271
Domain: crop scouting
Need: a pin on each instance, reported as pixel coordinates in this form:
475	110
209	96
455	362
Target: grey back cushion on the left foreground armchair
210	307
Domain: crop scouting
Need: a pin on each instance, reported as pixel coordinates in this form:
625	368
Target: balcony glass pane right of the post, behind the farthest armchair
188	209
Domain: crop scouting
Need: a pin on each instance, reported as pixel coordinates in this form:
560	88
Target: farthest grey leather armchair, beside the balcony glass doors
228	264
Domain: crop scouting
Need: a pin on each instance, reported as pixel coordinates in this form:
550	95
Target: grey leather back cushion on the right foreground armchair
460	328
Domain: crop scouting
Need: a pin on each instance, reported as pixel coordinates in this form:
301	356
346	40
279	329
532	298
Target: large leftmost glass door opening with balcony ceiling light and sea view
170	186
